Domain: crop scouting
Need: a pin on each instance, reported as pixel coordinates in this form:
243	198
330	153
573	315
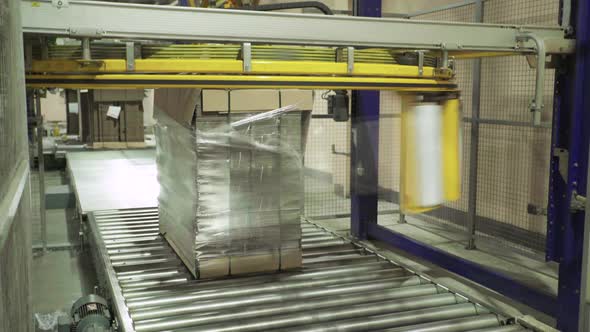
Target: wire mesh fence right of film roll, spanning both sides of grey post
512	155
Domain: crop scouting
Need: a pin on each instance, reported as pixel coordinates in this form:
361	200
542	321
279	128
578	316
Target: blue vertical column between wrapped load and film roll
364	153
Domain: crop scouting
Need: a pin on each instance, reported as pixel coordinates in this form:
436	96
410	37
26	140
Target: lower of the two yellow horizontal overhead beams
127	81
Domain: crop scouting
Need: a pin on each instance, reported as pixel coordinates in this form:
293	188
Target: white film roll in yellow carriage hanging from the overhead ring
430	155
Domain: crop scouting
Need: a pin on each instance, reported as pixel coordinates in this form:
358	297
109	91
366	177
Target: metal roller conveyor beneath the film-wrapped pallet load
341	287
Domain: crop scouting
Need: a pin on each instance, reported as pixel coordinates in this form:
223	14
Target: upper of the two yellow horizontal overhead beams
224	66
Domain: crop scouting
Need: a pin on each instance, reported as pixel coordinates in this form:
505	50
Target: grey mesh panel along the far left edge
15	230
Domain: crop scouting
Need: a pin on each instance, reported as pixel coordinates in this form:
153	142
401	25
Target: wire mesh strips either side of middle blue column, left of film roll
327	160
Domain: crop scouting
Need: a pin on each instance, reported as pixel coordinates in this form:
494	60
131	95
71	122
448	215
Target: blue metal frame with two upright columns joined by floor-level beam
571	118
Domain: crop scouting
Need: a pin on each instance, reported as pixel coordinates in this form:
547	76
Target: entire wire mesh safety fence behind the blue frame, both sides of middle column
512	155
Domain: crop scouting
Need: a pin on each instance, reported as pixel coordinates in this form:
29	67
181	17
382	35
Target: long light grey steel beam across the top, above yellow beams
95	19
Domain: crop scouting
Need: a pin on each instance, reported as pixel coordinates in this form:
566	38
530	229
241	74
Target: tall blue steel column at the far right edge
571	124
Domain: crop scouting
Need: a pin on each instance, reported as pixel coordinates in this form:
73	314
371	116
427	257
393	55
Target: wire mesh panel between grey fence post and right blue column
513	158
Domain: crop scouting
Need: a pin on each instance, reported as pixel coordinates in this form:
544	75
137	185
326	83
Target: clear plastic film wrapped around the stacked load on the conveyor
231	195
